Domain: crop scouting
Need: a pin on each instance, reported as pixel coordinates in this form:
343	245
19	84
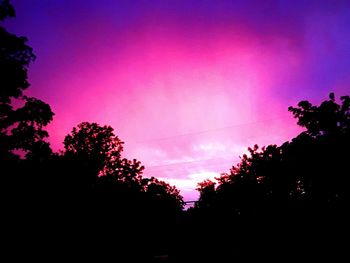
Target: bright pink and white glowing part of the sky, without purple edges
164	86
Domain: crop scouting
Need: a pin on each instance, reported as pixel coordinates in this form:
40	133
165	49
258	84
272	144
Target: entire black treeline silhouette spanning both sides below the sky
280	202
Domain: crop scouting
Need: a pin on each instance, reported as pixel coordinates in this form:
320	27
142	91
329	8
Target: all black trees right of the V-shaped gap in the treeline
285	191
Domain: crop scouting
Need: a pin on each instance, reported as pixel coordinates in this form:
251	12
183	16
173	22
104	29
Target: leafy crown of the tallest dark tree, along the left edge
21	128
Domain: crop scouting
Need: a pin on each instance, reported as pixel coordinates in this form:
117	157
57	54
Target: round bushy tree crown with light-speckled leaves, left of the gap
98	150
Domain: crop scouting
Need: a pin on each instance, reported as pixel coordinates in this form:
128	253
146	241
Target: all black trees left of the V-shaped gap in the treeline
83	200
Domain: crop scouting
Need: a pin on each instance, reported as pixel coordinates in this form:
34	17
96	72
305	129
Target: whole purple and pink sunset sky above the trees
187	85
